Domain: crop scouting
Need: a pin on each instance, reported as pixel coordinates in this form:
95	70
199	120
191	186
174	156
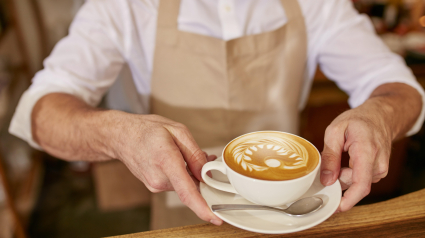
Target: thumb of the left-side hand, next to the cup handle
192	154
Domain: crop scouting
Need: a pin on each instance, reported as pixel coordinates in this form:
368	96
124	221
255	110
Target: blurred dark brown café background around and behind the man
41	196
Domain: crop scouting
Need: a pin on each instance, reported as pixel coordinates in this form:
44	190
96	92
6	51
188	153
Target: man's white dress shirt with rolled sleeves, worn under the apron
106	34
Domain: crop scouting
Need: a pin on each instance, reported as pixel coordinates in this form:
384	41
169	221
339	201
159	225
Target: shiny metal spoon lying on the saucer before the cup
301	207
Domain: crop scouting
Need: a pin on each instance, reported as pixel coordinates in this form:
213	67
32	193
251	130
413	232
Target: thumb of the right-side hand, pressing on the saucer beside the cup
331	155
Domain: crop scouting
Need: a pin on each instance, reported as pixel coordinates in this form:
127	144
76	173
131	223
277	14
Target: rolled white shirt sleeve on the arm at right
352	55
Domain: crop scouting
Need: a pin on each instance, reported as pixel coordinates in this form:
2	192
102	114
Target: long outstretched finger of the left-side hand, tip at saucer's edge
187	191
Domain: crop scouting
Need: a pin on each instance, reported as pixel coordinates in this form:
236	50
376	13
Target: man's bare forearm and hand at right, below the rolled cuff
367	132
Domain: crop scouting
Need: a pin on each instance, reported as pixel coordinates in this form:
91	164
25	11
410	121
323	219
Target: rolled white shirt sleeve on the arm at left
84	64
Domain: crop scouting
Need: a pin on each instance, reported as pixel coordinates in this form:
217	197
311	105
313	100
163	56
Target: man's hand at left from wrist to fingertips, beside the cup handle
155	150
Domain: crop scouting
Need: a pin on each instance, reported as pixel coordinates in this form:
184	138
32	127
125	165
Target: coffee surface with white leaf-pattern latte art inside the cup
271	155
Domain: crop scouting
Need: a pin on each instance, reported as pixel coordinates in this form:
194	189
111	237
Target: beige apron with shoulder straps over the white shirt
222	89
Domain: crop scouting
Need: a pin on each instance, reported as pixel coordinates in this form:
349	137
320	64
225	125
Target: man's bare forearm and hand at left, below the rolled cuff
155	149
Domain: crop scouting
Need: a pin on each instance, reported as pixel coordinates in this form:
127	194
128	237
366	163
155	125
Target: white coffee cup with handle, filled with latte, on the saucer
269	168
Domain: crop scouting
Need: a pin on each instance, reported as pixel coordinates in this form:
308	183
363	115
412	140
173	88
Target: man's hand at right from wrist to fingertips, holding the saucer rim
363	133
